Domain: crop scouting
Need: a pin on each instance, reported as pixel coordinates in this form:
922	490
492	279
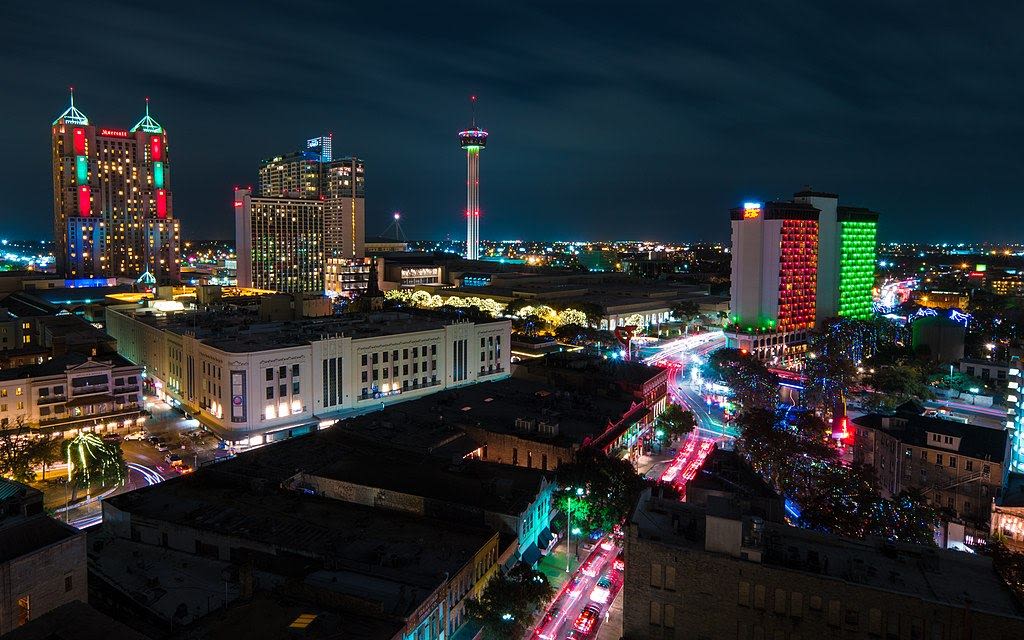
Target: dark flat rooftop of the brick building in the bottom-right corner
940	576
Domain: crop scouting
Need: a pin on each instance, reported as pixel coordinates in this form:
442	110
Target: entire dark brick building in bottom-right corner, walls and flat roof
715	571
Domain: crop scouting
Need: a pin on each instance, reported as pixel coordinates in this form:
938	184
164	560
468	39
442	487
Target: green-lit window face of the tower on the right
857	269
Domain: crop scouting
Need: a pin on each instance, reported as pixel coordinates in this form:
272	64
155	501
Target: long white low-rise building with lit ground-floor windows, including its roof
254	381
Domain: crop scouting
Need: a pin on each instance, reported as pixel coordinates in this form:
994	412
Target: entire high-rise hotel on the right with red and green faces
796	265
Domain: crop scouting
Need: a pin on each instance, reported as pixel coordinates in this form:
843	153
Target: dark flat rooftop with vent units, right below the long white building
496	407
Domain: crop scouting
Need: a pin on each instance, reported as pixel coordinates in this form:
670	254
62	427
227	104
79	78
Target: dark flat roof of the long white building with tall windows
240	330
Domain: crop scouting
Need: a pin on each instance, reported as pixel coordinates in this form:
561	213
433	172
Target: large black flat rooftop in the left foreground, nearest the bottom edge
407	558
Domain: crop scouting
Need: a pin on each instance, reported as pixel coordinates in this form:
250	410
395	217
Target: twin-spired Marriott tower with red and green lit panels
113	212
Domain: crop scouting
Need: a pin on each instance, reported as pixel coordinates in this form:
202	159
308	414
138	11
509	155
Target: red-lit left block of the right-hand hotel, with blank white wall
775	279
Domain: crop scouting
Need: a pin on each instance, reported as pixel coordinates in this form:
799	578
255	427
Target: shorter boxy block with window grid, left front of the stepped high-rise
280	243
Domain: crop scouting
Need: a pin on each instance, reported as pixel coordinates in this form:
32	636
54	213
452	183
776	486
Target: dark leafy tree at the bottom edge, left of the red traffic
506	608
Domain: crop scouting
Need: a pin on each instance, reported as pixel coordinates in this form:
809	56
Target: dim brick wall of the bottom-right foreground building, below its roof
707	596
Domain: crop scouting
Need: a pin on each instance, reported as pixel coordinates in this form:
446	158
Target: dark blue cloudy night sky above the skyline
622	120
